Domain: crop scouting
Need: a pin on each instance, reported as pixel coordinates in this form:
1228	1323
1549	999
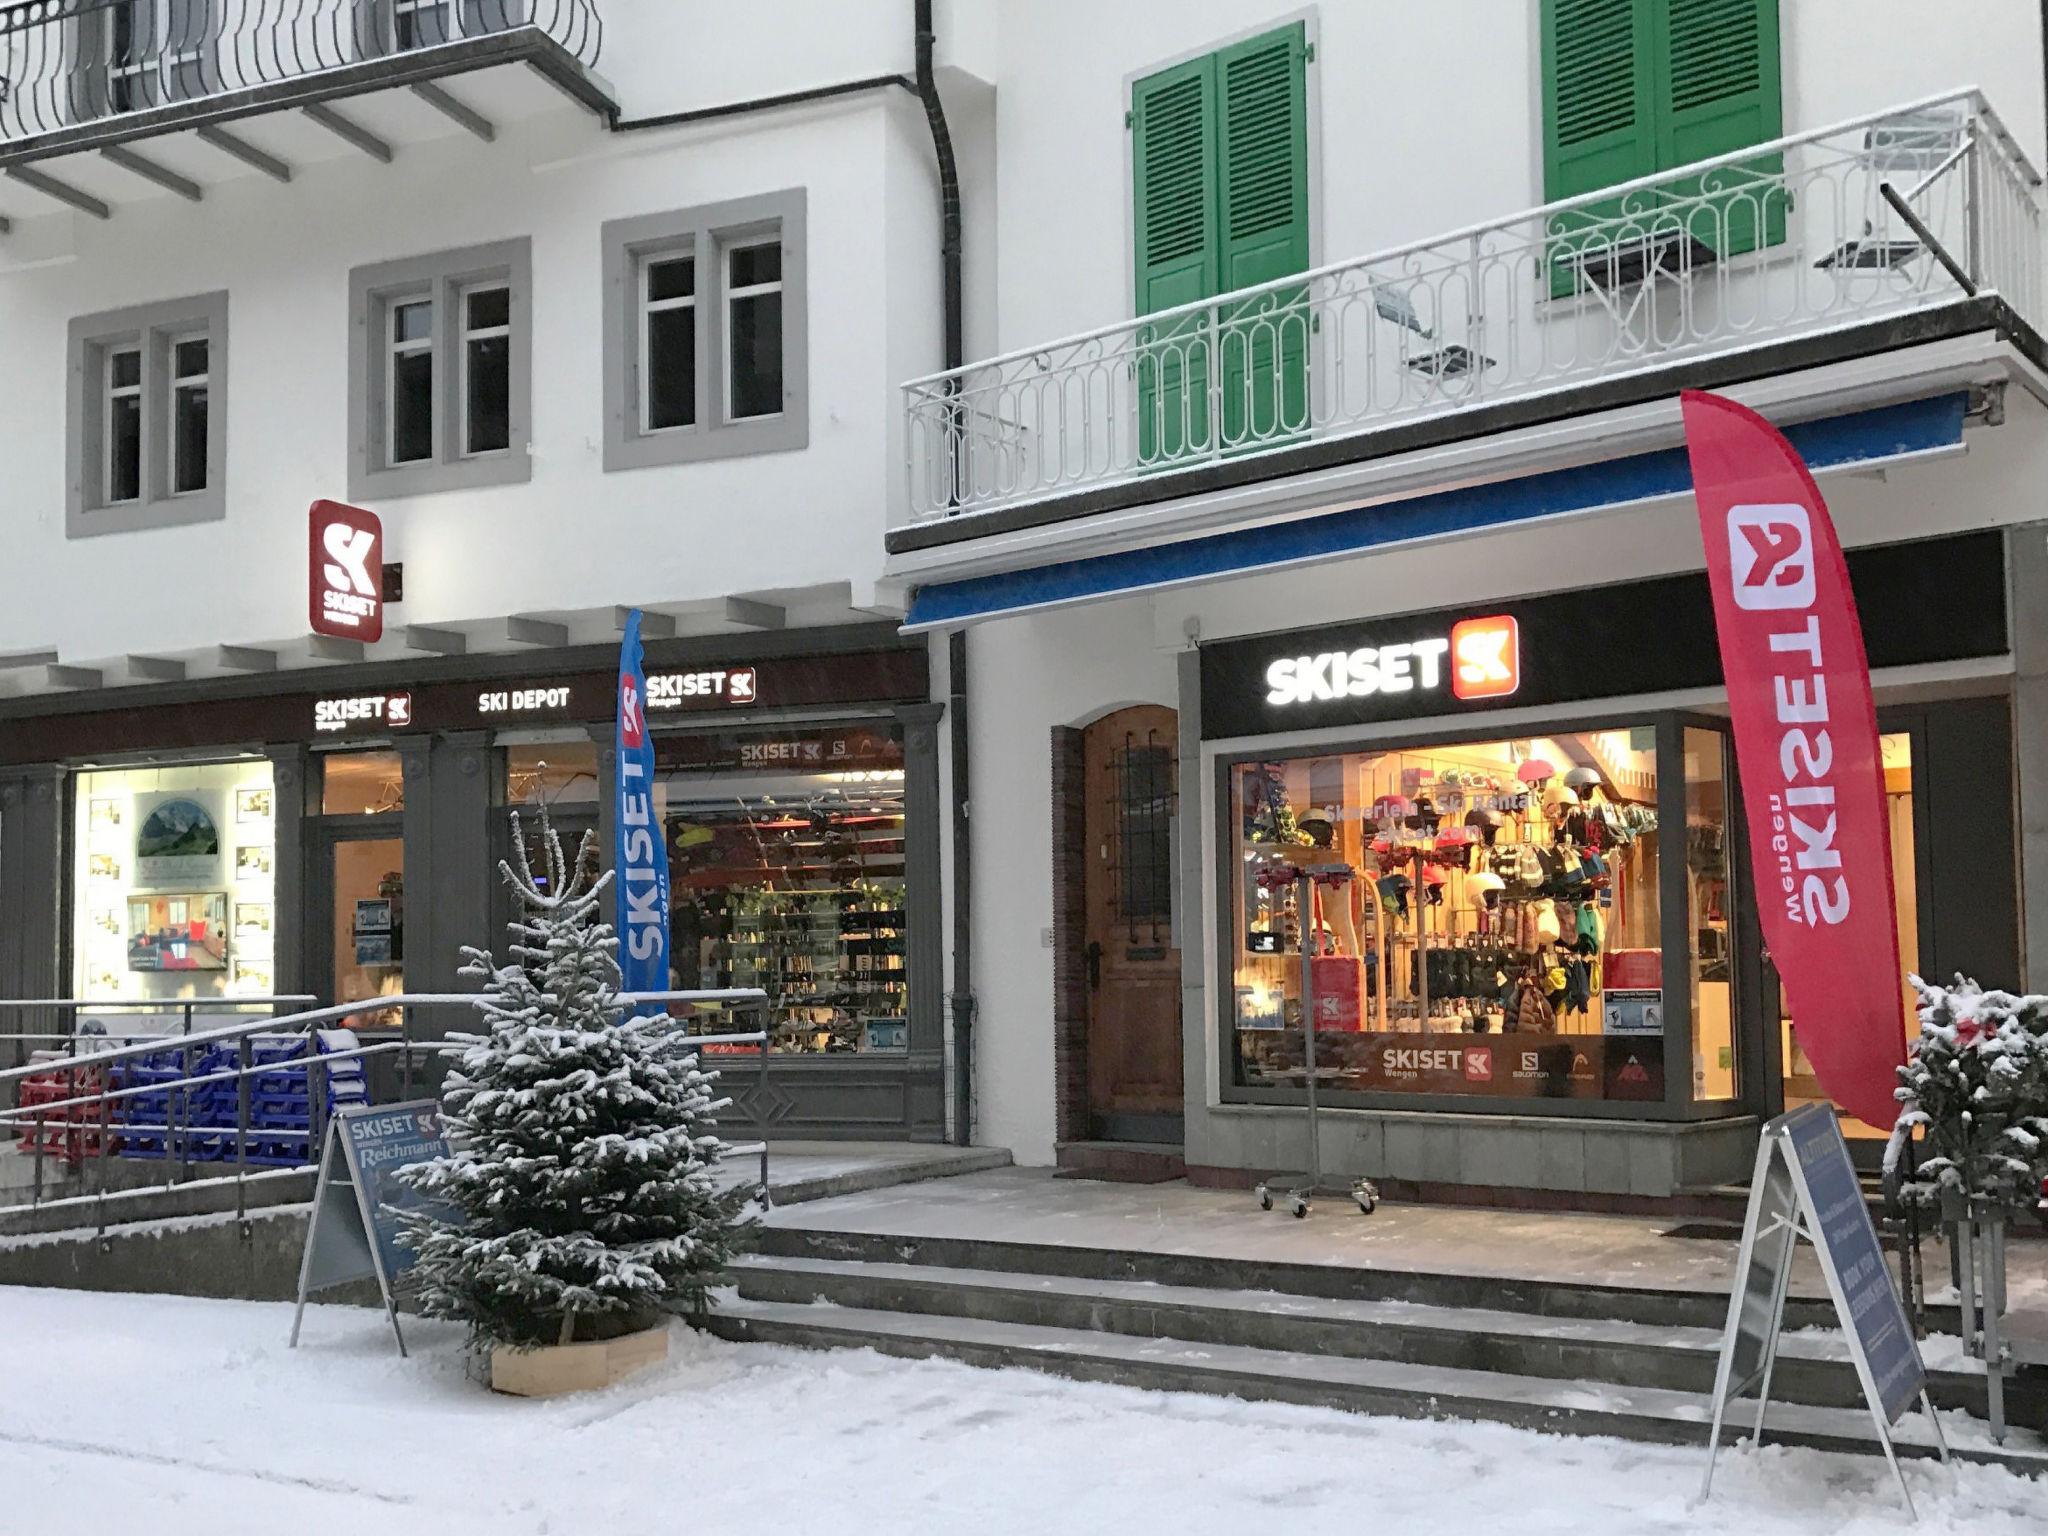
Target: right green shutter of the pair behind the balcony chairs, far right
1715	87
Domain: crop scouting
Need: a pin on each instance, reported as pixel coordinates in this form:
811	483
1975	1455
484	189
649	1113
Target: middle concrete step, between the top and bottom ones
1467	1338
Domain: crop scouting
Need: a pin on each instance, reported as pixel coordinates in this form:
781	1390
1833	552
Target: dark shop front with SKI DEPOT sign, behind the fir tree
337	835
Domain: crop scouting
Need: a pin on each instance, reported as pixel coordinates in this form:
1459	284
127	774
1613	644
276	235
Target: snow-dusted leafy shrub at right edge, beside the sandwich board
1977	1091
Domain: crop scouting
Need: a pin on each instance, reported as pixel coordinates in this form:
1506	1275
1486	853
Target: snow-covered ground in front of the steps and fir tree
171	1416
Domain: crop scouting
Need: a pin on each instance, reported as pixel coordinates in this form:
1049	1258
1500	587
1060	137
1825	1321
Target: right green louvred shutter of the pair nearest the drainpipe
1265	234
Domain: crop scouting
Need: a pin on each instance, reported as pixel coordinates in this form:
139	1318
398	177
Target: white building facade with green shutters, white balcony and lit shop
1316	497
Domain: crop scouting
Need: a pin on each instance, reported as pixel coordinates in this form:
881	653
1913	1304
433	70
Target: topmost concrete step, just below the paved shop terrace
1332	1281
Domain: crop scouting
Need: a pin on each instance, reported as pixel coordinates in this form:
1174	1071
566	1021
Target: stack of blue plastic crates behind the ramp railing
280	1095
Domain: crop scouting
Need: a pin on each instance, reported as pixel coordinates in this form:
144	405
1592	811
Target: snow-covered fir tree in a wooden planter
585	1146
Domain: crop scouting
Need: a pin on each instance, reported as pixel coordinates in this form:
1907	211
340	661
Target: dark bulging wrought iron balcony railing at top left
67	62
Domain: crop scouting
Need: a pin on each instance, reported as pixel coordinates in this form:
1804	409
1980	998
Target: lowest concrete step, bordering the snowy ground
1392	1388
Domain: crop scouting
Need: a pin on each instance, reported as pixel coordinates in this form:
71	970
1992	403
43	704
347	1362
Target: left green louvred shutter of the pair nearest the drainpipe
1175	185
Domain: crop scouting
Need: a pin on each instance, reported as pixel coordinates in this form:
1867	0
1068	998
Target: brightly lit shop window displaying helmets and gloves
1486	919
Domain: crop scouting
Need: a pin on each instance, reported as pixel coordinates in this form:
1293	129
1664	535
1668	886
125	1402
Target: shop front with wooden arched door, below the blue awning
1494	714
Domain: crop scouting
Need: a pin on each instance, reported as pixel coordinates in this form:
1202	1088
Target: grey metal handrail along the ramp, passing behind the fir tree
179	1134
